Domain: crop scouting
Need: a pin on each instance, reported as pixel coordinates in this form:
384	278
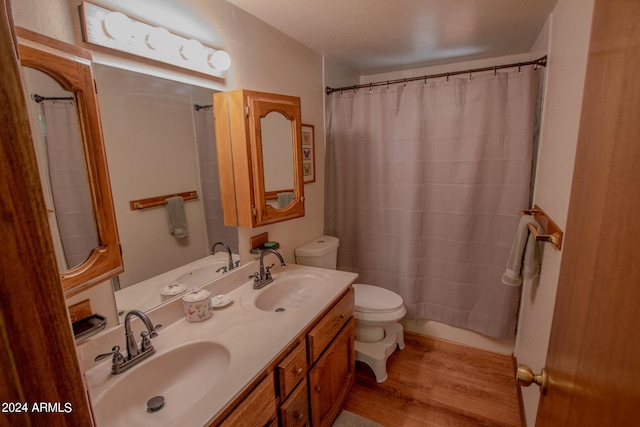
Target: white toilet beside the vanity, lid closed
377	310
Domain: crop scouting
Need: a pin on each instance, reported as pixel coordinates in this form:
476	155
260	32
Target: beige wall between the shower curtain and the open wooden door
568	40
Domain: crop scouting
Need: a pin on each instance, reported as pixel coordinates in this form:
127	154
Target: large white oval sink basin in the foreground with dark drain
182	376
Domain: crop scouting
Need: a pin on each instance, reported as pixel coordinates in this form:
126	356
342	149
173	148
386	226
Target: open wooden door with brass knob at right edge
593	361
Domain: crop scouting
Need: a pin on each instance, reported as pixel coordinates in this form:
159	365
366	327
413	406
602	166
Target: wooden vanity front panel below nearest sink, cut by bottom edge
257	409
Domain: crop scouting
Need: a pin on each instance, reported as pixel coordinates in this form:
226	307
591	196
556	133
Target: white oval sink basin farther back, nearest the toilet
290	292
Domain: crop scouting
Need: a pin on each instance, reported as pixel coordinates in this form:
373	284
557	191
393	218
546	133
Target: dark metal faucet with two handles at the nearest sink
135	354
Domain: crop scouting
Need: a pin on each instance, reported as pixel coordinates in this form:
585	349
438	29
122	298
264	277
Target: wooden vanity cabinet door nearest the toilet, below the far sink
332	377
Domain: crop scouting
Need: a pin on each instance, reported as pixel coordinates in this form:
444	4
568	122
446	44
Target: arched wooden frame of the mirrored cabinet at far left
71	68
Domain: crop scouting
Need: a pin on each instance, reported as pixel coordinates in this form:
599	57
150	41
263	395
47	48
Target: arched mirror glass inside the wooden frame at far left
63	172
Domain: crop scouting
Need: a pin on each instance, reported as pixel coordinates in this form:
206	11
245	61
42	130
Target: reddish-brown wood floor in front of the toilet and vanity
438	383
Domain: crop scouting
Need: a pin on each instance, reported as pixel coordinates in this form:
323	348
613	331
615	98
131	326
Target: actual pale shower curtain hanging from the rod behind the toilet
424	184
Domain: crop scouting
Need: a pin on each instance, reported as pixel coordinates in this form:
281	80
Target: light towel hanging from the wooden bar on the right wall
524	258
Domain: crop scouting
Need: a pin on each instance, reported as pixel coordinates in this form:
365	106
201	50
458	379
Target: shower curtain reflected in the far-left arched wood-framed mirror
68	180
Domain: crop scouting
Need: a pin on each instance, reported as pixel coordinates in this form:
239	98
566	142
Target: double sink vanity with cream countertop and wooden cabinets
279	355
